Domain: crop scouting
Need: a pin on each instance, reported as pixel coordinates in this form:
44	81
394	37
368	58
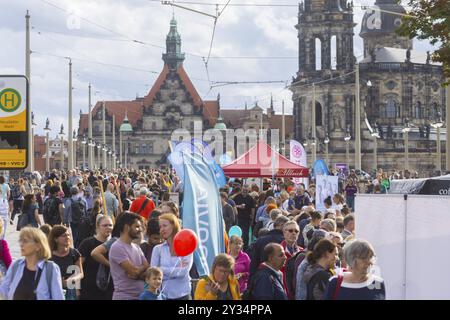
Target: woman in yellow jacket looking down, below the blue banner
221	284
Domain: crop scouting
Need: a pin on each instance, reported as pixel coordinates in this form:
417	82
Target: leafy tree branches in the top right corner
430	20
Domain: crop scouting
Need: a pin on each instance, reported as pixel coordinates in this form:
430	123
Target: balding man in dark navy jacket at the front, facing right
268	281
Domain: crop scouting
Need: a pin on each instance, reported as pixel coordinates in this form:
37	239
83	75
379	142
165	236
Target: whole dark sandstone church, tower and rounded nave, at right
397	84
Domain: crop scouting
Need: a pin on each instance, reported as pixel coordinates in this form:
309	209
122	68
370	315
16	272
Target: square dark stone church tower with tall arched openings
325	34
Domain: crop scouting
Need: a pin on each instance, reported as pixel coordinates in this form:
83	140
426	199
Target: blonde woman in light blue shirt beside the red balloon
176	280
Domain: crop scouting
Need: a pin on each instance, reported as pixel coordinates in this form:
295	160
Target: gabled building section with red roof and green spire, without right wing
172	103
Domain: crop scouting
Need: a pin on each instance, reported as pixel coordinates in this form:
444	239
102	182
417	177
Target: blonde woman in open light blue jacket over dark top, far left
33	277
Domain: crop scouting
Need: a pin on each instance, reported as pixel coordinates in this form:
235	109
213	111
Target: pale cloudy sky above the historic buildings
116	45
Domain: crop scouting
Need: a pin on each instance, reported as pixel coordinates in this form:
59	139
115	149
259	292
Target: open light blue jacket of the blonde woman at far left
44	291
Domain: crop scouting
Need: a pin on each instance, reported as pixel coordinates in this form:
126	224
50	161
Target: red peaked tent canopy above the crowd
261	161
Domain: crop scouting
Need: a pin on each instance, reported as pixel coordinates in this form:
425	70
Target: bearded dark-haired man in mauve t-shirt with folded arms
128	263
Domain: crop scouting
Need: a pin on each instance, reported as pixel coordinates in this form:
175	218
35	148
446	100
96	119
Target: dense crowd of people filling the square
90	235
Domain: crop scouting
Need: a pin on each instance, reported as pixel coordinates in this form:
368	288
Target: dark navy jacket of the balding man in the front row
268	284
